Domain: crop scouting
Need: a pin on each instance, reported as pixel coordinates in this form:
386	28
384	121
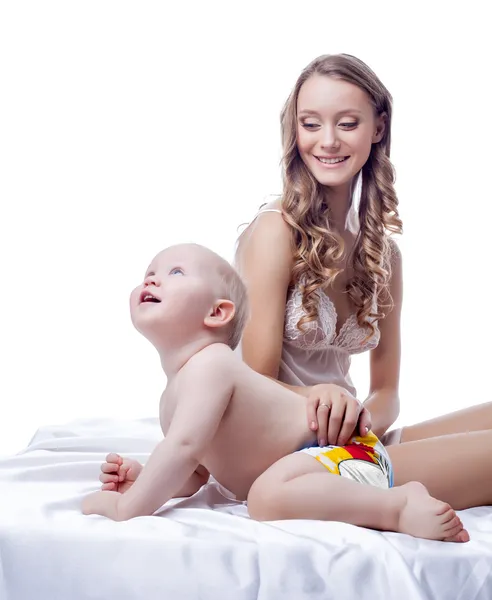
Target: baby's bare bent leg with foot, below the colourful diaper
300	487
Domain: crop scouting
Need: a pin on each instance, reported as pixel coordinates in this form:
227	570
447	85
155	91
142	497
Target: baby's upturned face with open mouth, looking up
176	294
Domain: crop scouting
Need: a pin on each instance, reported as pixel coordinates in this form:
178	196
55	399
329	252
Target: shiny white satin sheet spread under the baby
49	551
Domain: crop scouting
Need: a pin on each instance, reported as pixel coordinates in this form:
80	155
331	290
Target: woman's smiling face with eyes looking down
336	127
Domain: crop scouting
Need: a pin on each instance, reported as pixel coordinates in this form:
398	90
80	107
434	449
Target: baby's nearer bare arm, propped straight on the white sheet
204	394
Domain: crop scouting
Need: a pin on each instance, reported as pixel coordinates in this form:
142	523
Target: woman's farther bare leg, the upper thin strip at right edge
475	418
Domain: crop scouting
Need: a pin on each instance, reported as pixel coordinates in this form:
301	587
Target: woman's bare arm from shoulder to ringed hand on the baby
264	260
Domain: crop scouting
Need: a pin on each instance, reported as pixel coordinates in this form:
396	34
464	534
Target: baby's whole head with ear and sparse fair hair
188	291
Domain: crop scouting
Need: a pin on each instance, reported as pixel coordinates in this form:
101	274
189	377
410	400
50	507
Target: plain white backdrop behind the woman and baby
126	127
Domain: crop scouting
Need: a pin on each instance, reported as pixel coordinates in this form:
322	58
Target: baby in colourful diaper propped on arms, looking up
222	418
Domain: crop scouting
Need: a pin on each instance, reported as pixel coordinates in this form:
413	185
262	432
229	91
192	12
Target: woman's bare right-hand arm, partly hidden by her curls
383	401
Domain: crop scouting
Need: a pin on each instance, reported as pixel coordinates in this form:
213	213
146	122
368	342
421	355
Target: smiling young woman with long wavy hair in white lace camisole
325	282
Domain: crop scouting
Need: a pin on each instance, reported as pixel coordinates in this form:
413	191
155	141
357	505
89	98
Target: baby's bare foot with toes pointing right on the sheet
423	516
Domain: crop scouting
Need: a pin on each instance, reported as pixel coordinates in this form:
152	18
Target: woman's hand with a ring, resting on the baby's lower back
335	414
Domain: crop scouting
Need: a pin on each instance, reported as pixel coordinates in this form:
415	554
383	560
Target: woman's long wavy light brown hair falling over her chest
305	205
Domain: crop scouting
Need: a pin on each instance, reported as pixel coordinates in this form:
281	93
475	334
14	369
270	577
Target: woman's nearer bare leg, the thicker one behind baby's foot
457	468
